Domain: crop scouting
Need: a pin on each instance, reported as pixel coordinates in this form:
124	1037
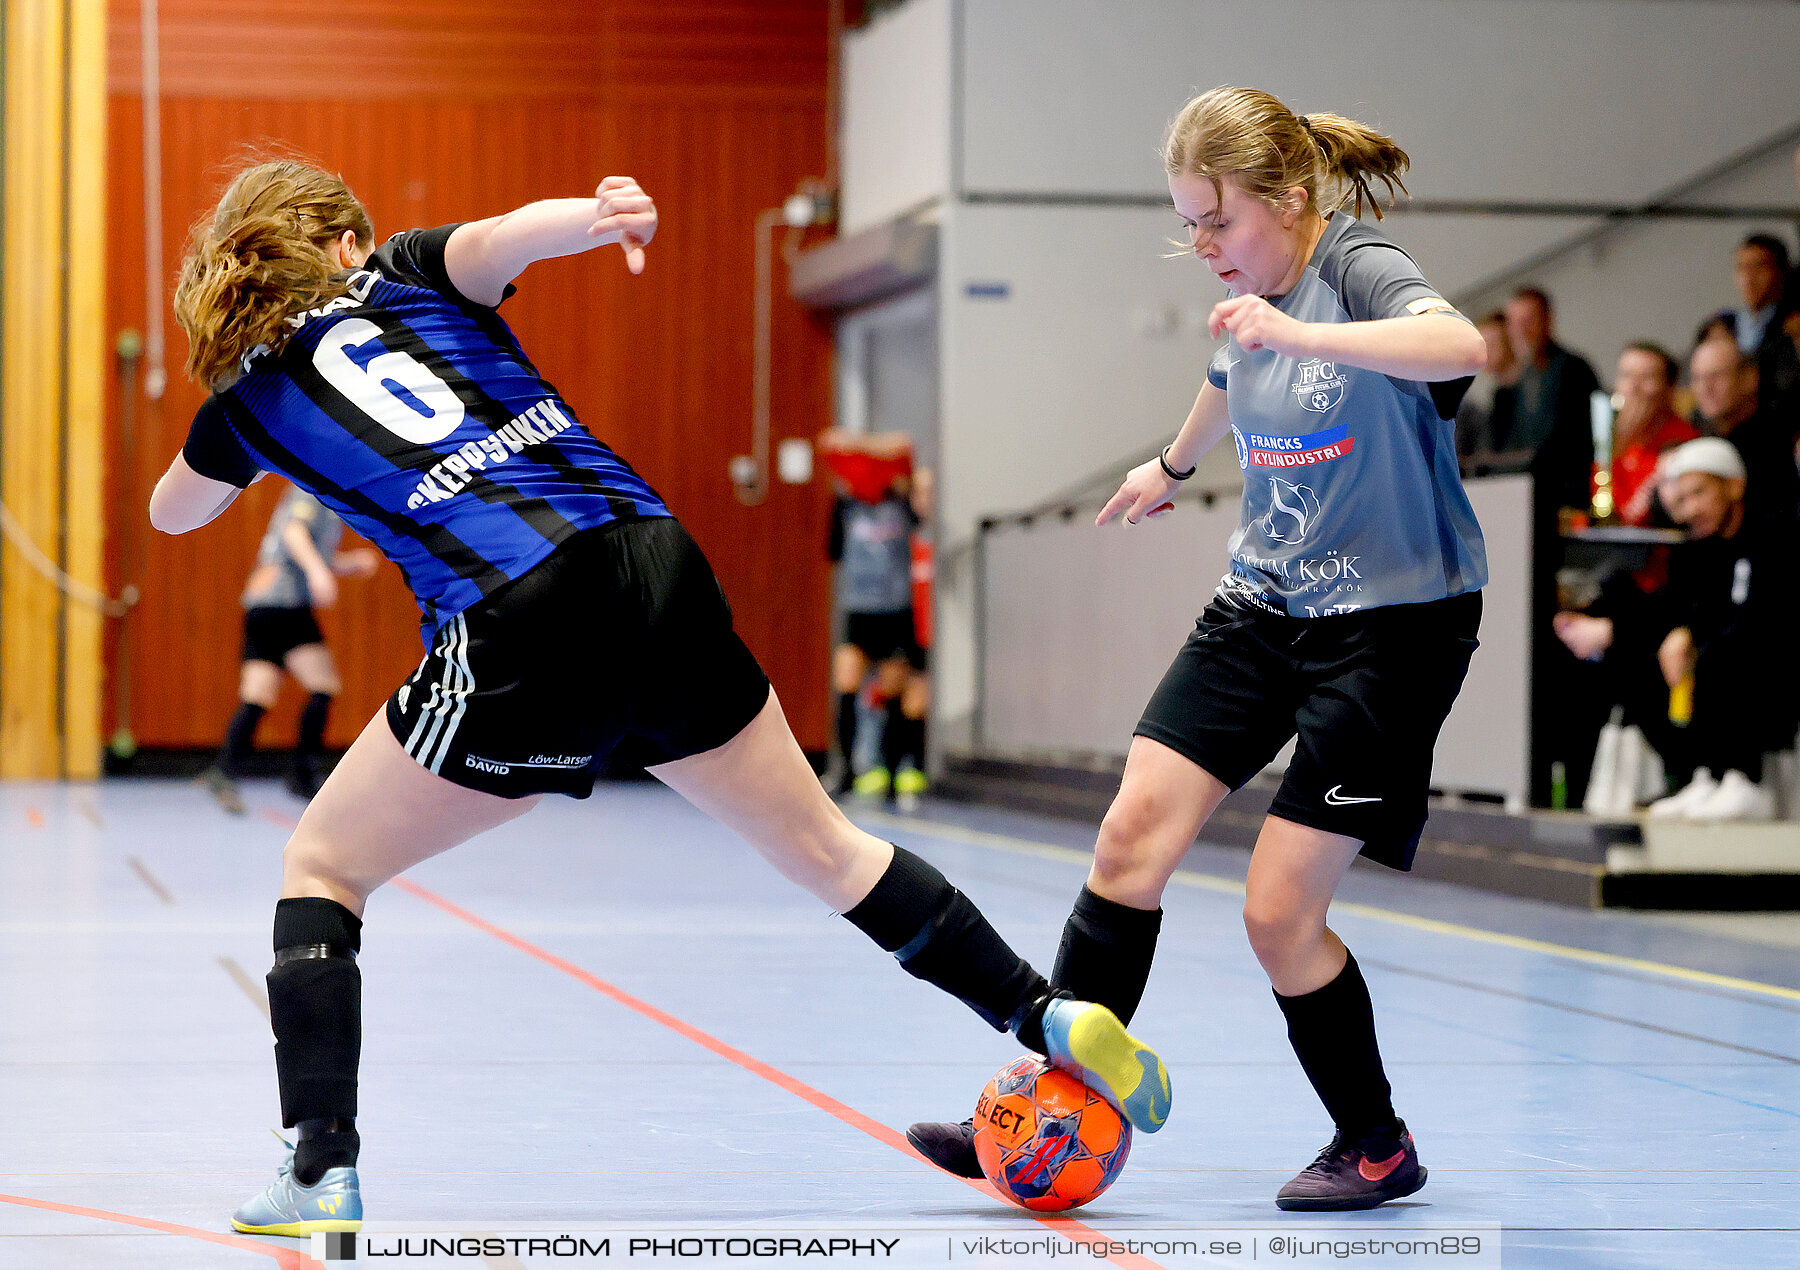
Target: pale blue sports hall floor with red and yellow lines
611	1021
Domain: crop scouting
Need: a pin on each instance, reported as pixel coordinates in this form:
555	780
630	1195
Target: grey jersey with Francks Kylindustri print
1353	497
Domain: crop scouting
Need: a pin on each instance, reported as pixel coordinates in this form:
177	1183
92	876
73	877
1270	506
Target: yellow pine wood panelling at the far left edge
49	391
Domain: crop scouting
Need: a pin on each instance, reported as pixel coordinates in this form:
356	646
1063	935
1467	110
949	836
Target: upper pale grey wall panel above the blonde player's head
1527	100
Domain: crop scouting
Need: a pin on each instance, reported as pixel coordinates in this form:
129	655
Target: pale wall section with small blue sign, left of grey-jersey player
1081	344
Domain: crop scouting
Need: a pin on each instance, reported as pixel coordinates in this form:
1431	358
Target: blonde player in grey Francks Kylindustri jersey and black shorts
1347	620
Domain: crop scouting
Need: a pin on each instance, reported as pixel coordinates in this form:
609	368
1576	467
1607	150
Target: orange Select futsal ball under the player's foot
1045	1140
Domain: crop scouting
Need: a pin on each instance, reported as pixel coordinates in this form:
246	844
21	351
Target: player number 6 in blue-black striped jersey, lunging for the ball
566	616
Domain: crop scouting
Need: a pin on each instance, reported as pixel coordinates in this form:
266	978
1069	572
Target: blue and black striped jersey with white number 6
413	415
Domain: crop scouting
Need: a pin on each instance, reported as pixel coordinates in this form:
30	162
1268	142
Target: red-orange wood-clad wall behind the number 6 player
460	111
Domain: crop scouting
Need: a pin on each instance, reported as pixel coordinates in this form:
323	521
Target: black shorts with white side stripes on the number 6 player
616	643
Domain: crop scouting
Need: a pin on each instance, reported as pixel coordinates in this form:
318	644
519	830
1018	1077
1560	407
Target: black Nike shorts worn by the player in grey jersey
1367	695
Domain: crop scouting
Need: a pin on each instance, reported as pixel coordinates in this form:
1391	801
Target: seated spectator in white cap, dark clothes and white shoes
1725	613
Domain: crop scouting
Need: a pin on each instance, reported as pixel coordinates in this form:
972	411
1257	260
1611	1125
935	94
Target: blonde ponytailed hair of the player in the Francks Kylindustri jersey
1252	138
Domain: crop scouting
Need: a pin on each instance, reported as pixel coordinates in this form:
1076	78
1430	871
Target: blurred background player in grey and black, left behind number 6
298	566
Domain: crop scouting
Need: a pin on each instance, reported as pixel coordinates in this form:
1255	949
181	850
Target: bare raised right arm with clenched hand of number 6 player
485	256
